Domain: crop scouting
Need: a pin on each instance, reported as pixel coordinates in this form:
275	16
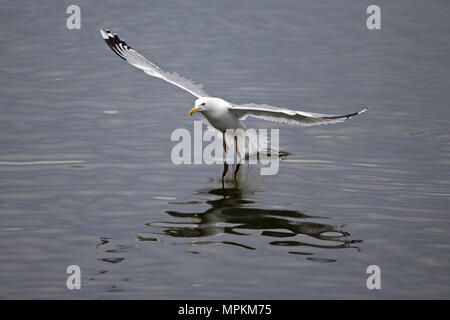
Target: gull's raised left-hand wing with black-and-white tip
134	58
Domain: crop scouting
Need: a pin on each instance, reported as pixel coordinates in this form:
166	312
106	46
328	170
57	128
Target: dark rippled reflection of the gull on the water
234	215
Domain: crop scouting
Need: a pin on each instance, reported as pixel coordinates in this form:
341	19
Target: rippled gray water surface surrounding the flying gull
86	177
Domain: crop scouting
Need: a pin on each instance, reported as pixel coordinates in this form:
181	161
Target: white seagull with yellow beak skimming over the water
221	114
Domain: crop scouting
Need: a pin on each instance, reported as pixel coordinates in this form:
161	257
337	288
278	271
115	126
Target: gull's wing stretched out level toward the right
271	113
